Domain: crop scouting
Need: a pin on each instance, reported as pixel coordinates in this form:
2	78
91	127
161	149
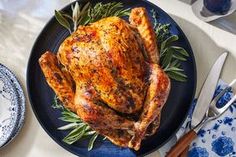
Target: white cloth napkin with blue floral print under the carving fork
218	137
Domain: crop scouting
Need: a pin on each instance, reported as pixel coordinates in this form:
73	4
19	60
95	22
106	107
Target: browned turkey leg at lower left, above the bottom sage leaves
97	114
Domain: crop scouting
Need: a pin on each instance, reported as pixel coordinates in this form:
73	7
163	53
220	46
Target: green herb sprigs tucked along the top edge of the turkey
88	14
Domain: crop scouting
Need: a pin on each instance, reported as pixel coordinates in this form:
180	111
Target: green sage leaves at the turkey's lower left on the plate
78	129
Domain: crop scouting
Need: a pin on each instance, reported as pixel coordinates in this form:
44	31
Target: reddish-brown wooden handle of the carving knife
180	146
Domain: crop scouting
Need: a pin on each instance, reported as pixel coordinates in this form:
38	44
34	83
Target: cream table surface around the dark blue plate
21	23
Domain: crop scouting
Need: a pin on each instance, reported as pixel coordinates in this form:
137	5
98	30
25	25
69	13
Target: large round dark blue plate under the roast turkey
41	96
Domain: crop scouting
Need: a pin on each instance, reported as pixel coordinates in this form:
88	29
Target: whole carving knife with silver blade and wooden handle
201	108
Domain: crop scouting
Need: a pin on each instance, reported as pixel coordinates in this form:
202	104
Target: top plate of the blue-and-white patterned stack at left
9	109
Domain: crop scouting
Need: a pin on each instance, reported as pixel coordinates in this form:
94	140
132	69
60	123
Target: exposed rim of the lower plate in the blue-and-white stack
20	98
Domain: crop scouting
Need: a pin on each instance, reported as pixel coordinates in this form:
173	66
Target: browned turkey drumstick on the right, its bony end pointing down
155	99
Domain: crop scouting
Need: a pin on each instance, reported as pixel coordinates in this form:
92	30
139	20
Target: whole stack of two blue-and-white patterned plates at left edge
12	106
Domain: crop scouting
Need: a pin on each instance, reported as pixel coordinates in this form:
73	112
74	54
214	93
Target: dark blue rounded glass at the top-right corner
218	6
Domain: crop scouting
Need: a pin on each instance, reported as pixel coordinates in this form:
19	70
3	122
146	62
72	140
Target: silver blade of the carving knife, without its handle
207	91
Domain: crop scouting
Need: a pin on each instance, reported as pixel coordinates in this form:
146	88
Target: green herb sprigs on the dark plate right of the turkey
170	55
